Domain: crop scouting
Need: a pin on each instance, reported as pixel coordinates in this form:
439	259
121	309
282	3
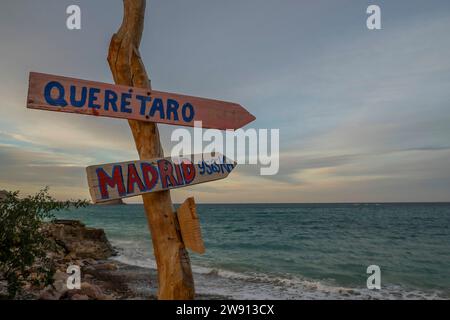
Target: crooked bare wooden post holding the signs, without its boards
174	269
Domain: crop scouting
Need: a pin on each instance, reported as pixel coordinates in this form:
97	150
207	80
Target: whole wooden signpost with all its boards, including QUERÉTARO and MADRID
152	177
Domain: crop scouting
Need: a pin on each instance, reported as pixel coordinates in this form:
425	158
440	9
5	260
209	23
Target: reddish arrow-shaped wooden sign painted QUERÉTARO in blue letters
55	93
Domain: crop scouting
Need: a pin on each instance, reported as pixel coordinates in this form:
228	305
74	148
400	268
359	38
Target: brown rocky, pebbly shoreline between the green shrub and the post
102	278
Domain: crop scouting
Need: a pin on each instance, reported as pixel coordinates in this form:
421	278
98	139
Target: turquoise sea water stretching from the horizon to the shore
302	251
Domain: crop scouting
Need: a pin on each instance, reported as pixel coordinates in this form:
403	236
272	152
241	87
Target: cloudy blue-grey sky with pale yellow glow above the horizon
363	114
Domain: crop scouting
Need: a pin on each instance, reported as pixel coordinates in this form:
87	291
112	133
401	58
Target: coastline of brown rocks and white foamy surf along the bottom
109	272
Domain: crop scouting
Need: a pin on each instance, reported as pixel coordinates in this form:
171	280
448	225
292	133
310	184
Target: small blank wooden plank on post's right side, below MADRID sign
190	226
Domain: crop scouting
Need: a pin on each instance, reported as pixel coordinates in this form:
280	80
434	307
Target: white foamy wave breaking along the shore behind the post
237	285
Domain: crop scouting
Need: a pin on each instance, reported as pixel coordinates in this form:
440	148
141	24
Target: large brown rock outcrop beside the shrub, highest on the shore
78	241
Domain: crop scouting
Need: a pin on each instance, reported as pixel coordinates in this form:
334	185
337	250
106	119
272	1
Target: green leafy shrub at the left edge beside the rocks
23	245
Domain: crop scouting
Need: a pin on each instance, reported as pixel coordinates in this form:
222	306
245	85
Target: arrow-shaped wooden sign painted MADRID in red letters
128	179
